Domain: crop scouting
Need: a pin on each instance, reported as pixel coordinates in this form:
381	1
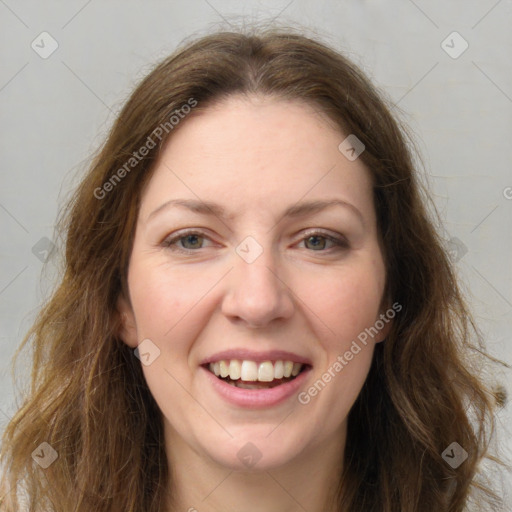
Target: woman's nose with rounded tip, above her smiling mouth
257	292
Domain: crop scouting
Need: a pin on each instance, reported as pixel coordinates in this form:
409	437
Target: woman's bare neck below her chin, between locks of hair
307	483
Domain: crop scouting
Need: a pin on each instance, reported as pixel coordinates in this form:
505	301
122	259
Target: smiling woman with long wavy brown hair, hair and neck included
256	312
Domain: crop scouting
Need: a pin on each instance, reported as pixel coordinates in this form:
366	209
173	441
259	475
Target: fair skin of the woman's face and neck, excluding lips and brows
256	157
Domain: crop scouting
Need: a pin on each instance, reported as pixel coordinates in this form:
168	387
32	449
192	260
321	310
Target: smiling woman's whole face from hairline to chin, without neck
269	263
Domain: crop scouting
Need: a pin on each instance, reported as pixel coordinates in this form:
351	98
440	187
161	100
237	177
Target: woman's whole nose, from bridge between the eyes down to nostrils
256	292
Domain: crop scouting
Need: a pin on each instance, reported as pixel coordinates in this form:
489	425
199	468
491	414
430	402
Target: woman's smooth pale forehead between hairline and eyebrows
257	151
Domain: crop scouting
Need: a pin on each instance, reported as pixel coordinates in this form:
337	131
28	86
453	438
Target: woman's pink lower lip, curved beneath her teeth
256	398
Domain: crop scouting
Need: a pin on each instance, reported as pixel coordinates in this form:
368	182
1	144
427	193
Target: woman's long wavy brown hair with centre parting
88	398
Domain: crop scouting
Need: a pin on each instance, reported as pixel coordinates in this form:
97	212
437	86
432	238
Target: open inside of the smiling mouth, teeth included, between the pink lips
256	375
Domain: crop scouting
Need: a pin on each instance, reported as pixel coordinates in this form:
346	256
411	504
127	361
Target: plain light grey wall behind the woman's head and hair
445	64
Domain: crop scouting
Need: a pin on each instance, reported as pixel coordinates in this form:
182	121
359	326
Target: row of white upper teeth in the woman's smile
266	371
